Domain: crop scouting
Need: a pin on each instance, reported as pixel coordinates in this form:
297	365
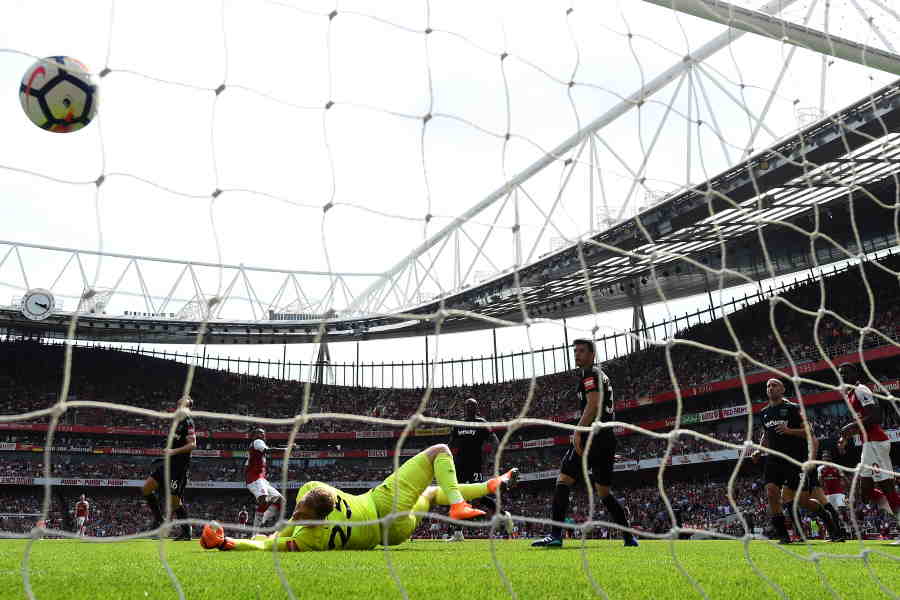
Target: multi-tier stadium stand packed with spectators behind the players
103	453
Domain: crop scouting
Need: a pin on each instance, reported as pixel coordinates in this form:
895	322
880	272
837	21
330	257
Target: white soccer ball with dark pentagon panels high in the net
58	94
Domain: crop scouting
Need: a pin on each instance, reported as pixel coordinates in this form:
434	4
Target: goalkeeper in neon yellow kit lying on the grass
411	484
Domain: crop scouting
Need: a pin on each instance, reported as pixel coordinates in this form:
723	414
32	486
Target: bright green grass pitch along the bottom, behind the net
64	569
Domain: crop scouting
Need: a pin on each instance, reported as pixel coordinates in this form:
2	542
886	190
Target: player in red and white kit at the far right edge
875	479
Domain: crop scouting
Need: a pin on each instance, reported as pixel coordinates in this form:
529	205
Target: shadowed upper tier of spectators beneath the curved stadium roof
124	378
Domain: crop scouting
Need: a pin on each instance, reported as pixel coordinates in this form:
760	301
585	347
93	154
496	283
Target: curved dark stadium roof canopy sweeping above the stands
677	248
